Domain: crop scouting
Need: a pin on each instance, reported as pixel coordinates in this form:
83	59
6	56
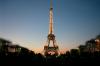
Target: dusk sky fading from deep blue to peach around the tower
26	22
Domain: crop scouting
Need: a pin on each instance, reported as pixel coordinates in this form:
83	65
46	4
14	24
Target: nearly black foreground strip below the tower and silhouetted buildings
38	59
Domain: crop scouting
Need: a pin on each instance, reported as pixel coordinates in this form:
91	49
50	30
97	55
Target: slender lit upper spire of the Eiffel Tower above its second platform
51	18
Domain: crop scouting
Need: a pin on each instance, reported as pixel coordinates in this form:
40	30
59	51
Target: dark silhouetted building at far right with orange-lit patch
91	46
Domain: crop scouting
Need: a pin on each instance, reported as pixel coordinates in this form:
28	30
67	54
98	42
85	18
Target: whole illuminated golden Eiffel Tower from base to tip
51	37
